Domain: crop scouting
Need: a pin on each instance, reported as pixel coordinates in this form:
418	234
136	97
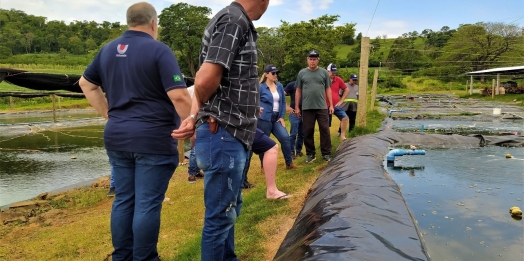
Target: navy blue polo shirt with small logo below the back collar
136	72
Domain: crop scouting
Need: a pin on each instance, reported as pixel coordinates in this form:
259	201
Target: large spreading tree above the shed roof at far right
483	45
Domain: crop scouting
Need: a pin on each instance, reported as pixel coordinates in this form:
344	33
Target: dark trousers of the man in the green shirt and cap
309	117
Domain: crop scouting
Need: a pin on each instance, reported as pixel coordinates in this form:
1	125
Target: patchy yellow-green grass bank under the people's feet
80	228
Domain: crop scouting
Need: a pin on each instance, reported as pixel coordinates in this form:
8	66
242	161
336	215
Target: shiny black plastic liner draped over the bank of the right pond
355	211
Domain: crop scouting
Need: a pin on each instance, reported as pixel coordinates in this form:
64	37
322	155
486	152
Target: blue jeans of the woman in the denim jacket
280	133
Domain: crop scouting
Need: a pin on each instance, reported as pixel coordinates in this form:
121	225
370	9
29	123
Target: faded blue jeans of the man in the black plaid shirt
223	158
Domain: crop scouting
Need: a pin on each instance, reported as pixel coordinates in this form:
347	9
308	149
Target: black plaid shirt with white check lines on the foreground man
230	40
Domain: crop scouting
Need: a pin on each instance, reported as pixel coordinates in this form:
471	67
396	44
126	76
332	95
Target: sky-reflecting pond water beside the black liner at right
461	200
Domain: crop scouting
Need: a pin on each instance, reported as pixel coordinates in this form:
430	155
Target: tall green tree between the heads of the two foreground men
182	28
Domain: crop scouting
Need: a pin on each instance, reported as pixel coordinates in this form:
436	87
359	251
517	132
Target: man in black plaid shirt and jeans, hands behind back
226	103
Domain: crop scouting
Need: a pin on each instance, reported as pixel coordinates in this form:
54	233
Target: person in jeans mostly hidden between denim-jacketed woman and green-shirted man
296	133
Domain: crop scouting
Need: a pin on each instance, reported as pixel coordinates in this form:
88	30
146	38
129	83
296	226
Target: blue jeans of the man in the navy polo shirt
141	183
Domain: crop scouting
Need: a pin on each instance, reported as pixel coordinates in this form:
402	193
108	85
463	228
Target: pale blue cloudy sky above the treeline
391	18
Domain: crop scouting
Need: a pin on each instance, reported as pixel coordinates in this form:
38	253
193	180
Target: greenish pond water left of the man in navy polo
33	163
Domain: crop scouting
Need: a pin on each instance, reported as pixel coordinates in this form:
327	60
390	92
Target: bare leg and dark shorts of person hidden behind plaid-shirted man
264	145
